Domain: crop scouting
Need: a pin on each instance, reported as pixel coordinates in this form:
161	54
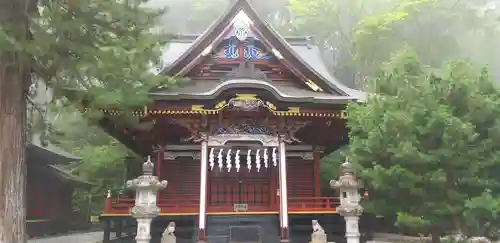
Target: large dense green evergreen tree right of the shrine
427	141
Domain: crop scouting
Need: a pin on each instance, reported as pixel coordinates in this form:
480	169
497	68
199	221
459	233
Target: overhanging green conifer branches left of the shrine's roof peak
106	48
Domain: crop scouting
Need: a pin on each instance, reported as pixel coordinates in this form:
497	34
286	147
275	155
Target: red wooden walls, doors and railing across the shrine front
258	189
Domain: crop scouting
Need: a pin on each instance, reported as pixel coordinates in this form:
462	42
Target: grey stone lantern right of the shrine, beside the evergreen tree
348	186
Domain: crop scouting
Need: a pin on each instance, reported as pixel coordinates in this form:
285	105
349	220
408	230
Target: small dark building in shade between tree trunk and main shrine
50	191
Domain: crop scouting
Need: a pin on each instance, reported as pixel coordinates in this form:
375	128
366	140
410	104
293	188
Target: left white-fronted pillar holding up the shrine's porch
203	189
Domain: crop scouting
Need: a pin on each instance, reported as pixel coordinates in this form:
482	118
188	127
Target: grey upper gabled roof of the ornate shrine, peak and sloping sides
302	58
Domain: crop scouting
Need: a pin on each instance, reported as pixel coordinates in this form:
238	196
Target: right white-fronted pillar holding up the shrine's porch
285	234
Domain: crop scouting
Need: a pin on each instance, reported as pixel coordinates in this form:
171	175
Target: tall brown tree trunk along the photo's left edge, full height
13	77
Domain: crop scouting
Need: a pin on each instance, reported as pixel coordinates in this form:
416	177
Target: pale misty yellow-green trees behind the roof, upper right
362	34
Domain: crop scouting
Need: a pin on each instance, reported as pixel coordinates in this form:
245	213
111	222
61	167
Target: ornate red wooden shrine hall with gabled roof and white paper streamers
240	142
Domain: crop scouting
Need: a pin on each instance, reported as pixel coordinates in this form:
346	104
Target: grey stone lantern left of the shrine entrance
145	208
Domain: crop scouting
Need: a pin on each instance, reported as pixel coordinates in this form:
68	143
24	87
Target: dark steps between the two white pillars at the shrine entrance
246	228
